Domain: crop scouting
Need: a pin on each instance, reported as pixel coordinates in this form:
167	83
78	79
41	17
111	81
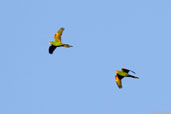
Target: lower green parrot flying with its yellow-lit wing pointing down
121	74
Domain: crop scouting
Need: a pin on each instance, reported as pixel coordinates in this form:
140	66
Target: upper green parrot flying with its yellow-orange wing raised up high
57	41
